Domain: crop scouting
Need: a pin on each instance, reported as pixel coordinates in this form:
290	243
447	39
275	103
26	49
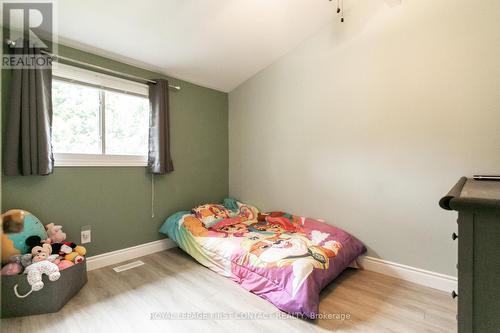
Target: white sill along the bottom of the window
90	160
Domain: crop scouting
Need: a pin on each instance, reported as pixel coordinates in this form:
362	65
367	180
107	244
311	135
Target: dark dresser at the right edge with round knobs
478	207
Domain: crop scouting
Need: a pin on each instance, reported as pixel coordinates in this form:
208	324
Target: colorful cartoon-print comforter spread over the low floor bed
282	258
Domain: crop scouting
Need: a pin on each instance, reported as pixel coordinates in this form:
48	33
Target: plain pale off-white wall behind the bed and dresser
370	122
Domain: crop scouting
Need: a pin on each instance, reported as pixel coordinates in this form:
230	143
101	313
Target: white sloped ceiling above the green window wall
214	43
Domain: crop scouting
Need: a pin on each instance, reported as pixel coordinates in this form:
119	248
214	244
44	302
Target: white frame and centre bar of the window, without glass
102	82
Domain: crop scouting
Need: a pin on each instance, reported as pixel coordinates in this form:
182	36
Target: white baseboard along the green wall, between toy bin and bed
115	257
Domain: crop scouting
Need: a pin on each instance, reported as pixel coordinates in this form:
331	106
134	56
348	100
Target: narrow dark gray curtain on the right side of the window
159	159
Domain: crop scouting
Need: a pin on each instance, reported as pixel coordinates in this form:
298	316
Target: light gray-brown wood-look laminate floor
171	281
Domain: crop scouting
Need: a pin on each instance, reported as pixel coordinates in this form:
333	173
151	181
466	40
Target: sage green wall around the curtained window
116	201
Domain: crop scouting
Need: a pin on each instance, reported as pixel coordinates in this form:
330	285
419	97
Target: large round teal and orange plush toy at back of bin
18	225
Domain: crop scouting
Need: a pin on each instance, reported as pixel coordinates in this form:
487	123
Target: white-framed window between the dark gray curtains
98	120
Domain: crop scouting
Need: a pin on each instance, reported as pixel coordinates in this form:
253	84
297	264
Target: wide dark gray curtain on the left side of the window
28	149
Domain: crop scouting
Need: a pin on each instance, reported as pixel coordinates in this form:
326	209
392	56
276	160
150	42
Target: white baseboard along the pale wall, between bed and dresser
412	274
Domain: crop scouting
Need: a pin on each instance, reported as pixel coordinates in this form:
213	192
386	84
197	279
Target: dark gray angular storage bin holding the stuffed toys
51	298
